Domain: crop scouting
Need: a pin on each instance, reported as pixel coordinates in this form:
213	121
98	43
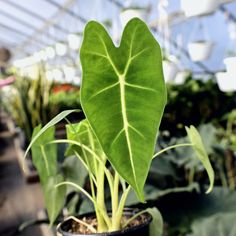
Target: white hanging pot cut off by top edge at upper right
198	8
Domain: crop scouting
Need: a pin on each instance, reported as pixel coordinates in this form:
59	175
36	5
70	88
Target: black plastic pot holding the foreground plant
139	230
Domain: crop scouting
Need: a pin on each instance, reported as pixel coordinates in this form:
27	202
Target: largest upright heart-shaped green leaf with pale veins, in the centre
123	96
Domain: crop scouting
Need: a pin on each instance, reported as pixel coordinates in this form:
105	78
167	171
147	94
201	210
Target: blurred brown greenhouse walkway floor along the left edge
19	201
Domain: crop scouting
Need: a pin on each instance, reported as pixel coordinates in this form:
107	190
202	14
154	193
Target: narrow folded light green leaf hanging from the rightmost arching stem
198	146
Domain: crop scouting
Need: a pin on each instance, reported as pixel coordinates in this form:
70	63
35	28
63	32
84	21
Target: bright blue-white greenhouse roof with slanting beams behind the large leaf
31	28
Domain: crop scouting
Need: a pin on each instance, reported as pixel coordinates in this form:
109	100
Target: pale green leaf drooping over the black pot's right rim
156	226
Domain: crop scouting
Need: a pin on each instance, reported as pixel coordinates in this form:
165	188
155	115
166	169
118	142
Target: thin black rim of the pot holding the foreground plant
113	233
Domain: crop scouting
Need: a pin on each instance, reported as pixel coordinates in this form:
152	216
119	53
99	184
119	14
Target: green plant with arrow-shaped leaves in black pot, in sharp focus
123	96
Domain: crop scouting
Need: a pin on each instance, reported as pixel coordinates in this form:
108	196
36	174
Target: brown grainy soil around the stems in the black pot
81	229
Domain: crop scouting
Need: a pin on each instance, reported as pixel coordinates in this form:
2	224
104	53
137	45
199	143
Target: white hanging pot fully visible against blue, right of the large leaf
200	50
